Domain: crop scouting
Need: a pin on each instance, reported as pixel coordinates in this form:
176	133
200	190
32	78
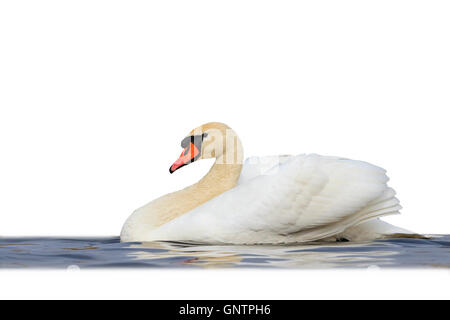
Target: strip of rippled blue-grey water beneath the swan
82	253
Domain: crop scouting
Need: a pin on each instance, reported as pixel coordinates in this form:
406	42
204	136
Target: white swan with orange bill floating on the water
267	200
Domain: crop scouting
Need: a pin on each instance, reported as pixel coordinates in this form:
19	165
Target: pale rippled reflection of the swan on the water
316	255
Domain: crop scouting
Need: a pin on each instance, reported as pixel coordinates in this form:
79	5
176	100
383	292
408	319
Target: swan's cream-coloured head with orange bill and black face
211	140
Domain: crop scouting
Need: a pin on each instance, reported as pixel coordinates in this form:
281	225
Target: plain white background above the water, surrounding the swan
95	97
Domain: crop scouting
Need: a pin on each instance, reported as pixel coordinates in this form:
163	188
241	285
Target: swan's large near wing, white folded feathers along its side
306	198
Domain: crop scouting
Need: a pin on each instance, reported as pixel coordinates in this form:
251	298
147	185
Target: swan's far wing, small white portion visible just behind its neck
256	166
